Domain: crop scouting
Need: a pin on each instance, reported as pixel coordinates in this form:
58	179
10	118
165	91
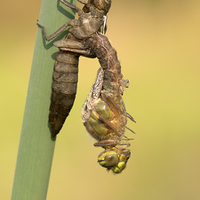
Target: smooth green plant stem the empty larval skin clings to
36	147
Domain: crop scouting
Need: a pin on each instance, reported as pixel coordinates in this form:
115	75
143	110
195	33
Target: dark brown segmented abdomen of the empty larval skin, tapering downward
64	87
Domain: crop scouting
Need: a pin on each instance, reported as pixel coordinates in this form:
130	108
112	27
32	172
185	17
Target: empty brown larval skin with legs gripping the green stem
91	20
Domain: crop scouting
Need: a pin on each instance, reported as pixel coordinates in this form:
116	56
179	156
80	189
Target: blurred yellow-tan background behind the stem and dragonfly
158	45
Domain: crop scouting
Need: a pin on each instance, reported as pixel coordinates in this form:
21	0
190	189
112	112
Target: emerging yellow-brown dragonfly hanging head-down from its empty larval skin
103	113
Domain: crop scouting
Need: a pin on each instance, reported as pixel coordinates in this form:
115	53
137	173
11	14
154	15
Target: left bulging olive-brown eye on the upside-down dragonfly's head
108	159
